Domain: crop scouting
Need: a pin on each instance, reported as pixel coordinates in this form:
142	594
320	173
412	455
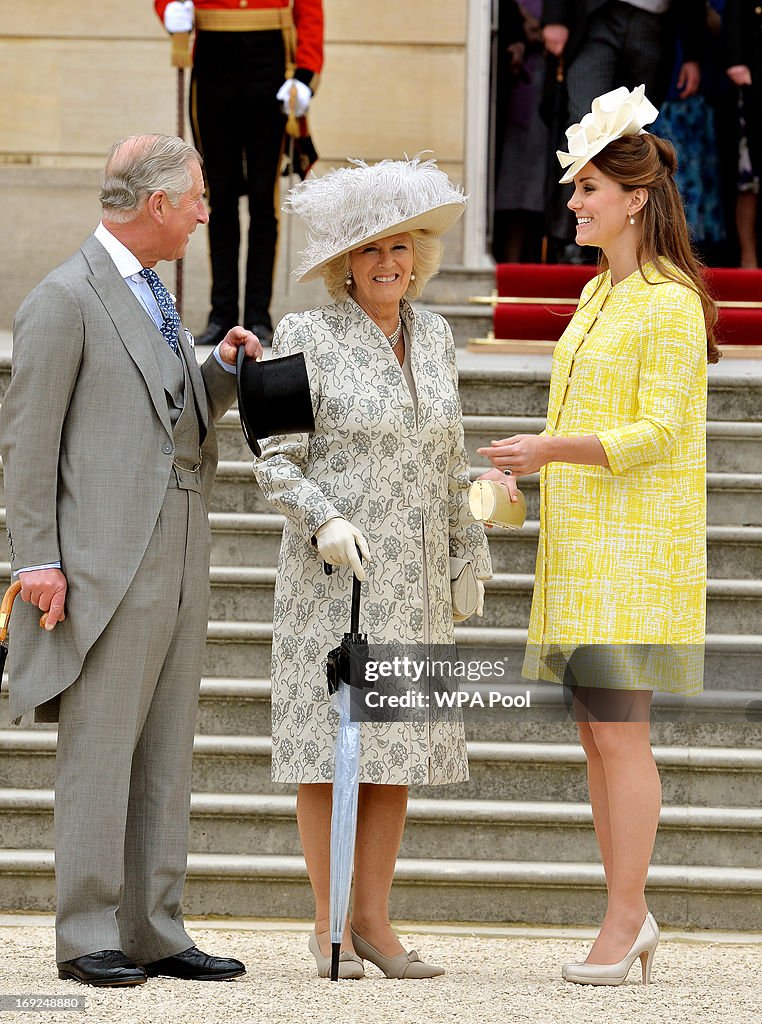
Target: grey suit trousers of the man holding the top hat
125	745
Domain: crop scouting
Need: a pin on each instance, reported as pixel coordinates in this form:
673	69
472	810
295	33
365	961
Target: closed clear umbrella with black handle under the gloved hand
340	669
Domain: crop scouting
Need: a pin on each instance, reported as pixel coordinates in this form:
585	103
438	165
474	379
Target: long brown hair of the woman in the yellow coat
650	162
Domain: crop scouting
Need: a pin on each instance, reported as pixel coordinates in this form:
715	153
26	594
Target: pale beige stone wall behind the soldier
76	76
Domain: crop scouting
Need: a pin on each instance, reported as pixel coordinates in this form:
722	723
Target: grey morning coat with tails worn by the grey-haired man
88	451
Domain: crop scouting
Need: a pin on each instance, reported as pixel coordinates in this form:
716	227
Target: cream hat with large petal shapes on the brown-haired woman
614	115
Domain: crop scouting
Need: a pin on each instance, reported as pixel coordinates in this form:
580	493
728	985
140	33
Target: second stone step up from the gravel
460	830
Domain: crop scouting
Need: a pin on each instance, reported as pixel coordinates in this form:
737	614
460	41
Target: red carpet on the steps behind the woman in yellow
545	321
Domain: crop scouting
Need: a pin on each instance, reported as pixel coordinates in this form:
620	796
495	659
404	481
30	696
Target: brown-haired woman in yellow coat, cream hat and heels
620	591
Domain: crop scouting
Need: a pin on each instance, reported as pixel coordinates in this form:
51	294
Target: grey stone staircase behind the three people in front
516	843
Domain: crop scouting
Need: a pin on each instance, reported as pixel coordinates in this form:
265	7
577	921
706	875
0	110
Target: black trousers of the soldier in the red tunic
238	127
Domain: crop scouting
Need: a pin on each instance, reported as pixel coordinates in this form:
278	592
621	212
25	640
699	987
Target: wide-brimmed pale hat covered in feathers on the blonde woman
351	206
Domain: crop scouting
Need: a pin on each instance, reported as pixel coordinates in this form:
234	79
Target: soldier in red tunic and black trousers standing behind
249	57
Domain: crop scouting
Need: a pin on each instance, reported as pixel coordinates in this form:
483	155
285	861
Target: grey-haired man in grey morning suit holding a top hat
108	440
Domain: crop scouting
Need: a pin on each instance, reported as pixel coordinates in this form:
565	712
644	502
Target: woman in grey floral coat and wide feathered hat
386	472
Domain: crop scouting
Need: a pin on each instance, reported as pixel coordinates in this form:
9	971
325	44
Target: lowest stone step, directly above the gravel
538	892
